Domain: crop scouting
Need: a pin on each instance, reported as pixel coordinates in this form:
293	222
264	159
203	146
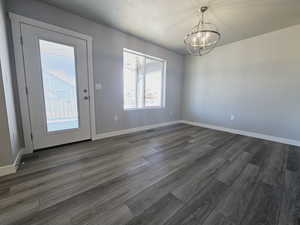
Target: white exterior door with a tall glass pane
56	72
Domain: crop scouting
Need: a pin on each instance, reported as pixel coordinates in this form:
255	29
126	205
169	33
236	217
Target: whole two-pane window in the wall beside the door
144	81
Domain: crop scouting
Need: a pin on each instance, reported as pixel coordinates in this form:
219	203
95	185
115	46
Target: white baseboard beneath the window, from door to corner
133	130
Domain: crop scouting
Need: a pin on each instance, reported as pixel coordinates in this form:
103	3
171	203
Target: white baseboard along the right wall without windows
246	133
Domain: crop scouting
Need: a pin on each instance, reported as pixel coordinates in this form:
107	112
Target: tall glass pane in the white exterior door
59	83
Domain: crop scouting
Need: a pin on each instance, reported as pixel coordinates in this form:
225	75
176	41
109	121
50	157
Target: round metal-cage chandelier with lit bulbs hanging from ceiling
203	38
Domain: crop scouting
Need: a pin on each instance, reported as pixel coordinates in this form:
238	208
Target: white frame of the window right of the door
163	86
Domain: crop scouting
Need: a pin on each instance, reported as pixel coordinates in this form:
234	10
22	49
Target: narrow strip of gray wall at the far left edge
9	135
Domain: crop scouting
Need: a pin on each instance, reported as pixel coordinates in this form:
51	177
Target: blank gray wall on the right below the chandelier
257	80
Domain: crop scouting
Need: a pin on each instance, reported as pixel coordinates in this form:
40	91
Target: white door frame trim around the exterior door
16	21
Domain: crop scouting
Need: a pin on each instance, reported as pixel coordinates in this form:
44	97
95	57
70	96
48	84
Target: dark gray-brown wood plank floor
177	175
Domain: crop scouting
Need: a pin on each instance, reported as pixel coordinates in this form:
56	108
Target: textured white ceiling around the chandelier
165	22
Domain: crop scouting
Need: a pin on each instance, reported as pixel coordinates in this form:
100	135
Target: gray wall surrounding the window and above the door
108	65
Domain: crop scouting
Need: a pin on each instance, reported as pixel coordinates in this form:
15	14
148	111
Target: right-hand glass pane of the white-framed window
154	80
